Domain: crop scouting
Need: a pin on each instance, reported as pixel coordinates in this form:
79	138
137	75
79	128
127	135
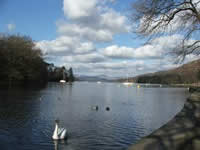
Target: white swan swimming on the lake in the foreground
59	133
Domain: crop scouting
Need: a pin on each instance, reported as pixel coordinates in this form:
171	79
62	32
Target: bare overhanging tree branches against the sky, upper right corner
155	18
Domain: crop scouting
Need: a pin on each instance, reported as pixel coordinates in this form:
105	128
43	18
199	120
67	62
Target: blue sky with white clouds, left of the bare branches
94	37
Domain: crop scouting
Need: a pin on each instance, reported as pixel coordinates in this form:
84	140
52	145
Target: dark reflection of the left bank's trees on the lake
17	106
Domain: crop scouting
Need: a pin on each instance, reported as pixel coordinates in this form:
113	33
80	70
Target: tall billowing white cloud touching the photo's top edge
92	20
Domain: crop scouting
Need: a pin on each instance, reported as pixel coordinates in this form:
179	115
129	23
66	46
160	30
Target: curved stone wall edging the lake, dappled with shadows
181	133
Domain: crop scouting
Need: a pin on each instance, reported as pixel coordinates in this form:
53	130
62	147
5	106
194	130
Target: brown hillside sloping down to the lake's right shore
187	73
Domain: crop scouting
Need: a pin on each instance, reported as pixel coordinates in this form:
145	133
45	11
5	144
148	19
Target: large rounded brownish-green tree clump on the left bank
20	60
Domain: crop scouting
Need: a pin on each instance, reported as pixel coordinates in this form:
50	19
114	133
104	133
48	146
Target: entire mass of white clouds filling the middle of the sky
90	22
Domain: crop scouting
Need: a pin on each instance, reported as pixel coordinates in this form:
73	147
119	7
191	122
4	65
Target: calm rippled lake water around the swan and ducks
27	115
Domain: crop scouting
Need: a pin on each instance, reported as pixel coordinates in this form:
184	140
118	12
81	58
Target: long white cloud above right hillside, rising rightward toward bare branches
155	50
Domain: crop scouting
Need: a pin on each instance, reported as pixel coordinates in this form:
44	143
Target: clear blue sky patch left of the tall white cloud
35	18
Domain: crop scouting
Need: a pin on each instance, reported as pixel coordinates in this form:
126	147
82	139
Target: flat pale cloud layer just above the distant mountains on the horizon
112	69
